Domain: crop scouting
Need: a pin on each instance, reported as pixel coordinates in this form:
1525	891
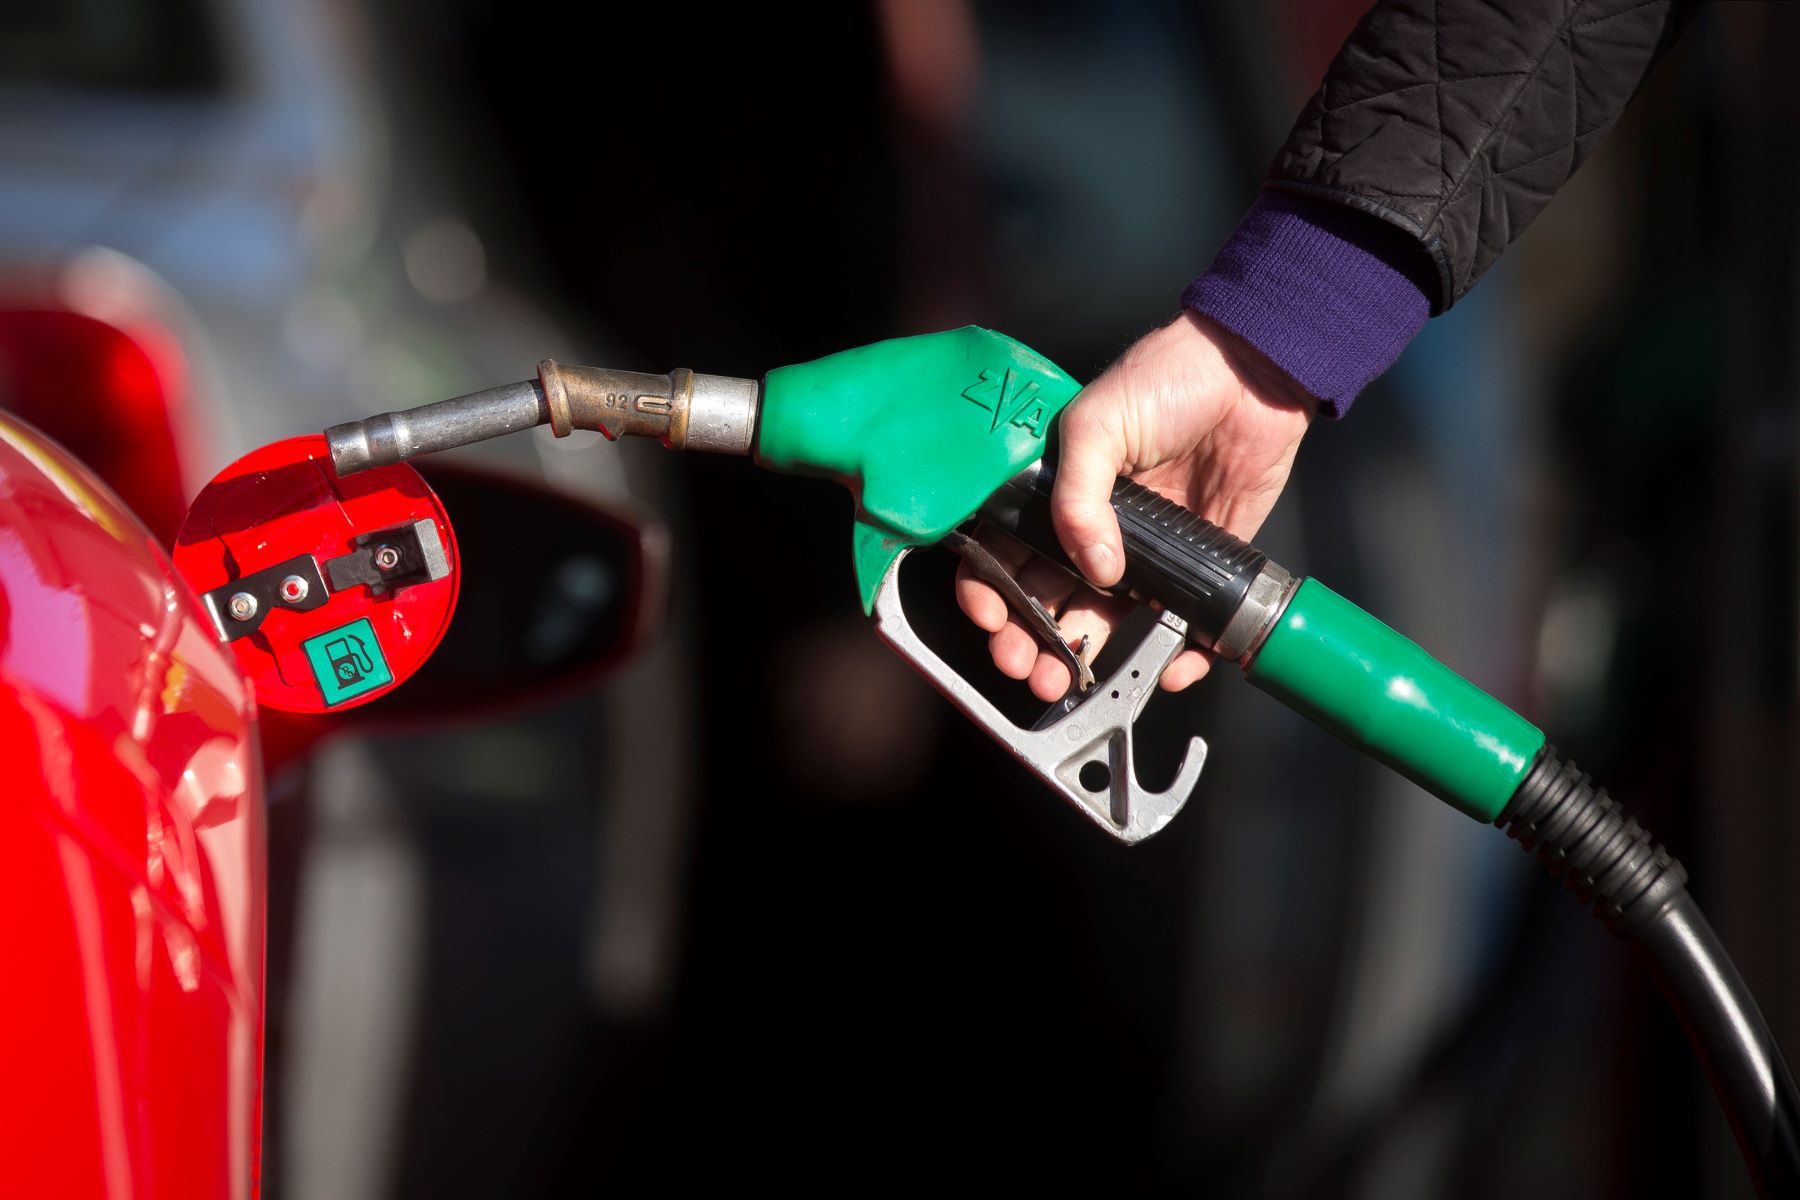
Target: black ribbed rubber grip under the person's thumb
1173	557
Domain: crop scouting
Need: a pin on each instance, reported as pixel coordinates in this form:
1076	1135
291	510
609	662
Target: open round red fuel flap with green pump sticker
330	591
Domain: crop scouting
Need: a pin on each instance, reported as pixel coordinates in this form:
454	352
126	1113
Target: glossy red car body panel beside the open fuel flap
134	866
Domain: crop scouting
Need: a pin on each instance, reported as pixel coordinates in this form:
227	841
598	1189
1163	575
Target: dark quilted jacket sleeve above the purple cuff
1459	120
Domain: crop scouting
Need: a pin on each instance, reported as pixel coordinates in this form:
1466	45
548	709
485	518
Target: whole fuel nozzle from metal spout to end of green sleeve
933	431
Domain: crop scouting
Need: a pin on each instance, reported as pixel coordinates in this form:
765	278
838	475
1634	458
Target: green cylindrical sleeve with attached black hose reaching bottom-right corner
1383	695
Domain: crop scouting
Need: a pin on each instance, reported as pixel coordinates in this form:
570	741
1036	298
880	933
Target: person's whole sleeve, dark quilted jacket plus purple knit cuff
1439	134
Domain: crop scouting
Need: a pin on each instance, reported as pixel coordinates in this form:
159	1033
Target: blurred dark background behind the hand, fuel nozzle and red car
759	906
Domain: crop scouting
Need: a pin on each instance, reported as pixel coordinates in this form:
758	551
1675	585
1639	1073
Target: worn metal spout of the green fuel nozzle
681	409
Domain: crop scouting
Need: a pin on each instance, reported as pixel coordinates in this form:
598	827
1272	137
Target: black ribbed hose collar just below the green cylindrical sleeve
1592	845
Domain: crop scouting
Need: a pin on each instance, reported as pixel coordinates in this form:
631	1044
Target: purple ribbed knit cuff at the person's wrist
1331	296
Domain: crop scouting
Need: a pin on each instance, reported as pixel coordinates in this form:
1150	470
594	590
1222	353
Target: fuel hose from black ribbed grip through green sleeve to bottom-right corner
1387	697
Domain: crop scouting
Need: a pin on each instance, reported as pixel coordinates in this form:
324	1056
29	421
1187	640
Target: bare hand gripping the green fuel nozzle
1191	411
